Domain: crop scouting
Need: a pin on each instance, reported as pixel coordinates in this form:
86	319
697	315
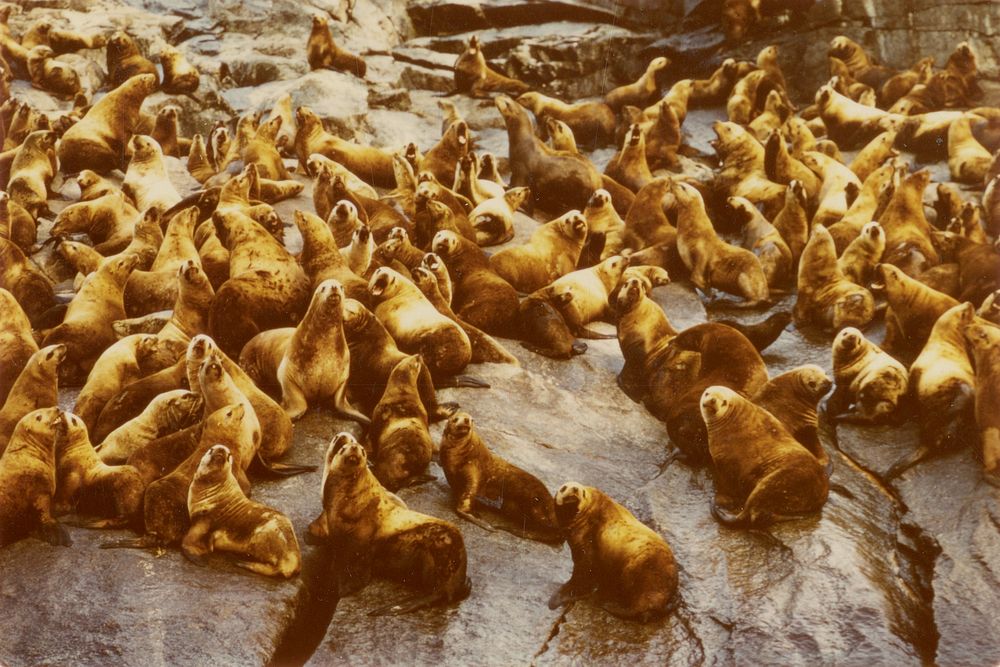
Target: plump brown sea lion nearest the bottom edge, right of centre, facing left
629	566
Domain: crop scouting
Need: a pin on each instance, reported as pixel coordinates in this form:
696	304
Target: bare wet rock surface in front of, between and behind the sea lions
900	573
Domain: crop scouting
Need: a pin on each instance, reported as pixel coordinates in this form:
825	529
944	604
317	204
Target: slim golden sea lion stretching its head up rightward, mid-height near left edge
86	329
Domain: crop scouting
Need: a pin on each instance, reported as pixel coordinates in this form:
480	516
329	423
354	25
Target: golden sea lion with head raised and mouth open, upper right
742	173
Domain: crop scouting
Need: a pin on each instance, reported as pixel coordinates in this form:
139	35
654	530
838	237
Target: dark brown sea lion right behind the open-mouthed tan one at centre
479	295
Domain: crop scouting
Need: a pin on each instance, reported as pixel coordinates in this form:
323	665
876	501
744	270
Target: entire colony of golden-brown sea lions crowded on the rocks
393	295
